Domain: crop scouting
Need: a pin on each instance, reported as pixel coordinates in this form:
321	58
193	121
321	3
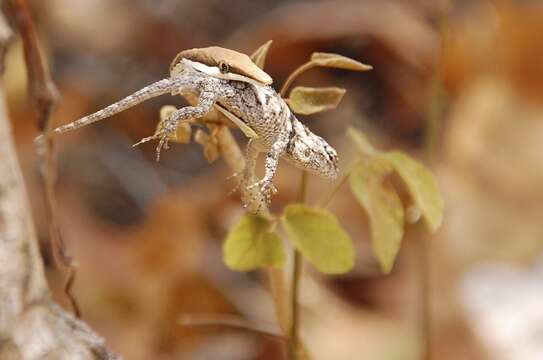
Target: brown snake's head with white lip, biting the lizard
220	63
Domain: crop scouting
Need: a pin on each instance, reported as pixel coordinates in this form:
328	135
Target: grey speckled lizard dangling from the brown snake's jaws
259	106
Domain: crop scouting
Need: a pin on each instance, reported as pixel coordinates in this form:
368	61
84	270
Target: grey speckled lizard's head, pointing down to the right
311	152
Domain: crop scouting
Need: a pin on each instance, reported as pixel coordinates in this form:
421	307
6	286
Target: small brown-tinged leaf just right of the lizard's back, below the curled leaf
307	100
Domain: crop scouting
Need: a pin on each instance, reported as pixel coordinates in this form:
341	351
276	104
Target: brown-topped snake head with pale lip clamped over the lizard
226	60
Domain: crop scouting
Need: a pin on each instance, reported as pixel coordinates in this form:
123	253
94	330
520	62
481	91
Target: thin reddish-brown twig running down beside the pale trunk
44	95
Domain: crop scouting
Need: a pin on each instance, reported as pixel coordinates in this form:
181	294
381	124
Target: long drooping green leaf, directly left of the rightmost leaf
383	206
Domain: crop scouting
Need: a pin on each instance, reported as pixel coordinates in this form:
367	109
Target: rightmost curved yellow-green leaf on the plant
422	187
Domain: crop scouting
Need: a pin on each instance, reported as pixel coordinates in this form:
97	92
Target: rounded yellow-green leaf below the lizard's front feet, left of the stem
251	245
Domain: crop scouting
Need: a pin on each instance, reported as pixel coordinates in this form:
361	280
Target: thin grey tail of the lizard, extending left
155	89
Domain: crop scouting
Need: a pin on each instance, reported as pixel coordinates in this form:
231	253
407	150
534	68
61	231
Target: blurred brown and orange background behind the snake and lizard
147	236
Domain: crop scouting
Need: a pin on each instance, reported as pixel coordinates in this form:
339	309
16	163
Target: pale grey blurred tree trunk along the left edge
32	326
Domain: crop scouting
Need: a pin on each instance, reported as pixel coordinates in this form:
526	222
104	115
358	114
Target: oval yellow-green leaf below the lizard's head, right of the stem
317	234
